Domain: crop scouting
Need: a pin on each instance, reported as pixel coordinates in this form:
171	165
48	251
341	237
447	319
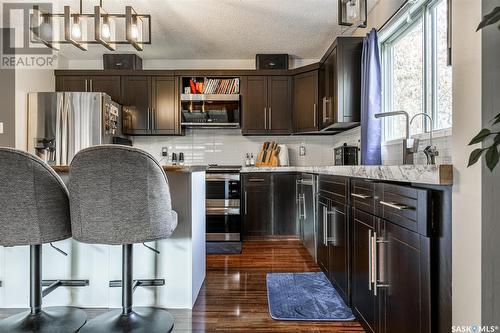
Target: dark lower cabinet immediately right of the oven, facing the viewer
269	204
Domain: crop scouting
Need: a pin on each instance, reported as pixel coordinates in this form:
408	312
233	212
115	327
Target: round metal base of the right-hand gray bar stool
140	320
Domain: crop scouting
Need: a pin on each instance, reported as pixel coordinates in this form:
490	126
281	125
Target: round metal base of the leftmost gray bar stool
60	319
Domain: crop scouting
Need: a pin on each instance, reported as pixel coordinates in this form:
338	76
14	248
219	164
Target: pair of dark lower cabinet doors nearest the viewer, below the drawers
390	276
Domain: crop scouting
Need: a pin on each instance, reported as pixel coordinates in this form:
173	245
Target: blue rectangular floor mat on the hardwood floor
305	296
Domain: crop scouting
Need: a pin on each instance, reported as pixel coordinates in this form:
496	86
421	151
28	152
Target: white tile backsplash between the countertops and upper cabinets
228	146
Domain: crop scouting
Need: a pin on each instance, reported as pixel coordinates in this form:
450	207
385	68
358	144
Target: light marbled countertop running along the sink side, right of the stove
422	174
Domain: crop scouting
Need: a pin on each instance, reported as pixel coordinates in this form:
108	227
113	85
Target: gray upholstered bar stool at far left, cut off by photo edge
35	210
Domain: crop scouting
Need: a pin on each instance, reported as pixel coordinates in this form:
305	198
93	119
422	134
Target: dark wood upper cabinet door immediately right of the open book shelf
254	90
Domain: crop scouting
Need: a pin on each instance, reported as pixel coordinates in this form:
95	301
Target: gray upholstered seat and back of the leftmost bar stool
34	203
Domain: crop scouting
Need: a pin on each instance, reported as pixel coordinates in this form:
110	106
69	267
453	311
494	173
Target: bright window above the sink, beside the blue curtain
415	72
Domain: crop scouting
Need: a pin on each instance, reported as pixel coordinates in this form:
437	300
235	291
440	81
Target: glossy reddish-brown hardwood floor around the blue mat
234	297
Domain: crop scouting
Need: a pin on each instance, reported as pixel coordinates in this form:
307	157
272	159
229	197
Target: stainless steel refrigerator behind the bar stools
62	123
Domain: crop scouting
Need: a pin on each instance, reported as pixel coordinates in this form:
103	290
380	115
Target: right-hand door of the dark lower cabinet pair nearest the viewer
404	274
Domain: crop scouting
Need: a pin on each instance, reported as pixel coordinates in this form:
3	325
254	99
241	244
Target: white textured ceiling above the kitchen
224	29
